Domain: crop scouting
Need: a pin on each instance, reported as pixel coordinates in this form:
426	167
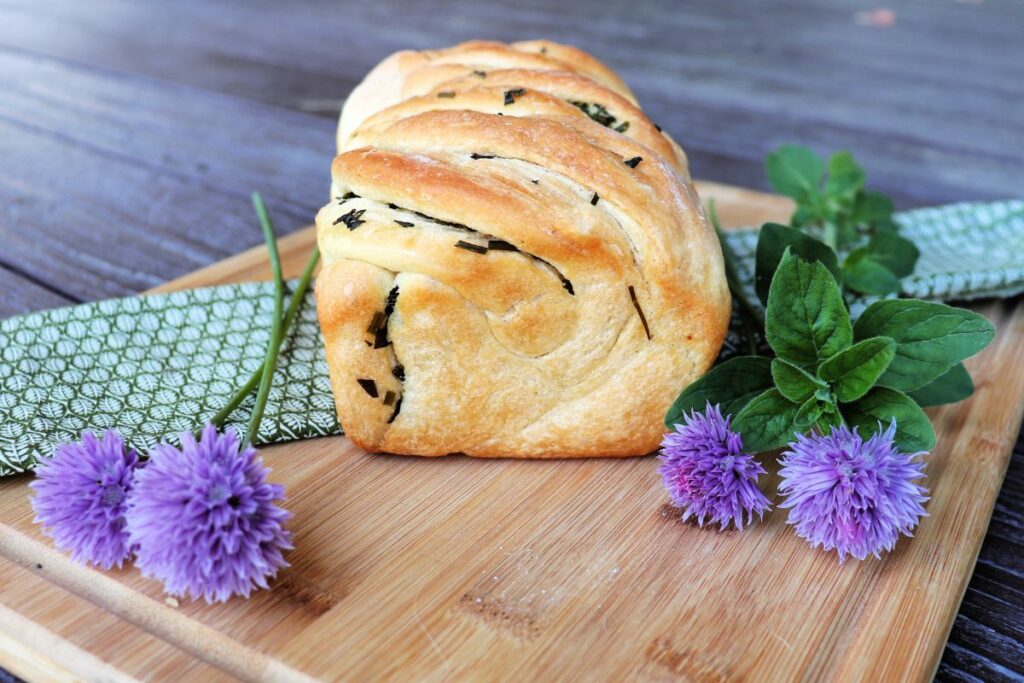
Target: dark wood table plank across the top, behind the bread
731	80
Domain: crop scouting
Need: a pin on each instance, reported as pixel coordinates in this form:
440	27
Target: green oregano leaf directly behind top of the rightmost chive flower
880	407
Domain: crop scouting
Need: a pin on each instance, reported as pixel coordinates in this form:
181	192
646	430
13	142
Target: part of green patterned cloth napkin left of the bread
154	367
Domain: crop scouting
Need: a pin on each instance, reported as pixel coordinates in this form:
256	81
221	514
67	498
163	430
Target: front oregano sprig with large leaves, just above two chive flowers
900	356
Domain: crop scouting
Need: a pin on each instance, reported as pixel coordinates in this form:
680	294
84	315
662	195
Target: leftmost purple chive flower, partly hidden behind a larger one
81	498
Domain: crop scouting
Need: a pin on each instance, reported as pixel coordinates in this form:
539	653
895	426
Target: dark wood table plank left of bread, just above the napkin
156	184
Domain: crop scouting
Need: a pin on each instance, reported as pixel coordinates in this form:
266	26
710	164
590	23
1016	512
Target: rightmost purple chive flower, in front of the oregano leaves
850	495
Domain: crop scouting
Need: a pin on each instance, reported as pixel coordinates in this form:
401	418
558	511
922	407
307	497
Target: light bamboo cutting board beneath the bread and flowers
456	569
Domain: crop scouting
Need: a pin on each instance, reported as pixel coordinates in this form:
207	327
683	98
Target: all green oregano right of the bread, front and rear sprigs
830	371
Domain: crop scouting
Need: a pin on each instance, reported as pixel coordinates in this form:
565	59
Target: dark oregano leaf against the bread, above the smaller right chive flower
732	386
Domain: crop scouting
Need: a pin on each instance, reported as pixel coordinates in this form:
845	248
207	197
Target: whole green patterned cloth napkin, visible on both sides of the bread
159	365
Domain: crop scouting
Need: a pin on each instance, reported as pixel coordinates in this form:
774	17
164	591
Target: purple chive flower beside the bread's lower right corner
707	473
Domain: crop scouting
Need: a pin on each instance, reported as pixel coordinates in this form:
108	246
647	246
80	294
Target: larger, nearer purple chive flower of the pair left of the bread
203	519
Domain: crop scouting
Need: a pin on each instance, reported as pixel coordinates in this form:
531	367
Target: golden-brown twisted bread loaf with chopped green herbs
515	262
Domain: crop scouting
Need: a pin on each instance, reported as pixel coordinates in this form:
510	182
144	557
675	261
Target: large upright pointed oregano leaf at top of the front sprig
806	321
